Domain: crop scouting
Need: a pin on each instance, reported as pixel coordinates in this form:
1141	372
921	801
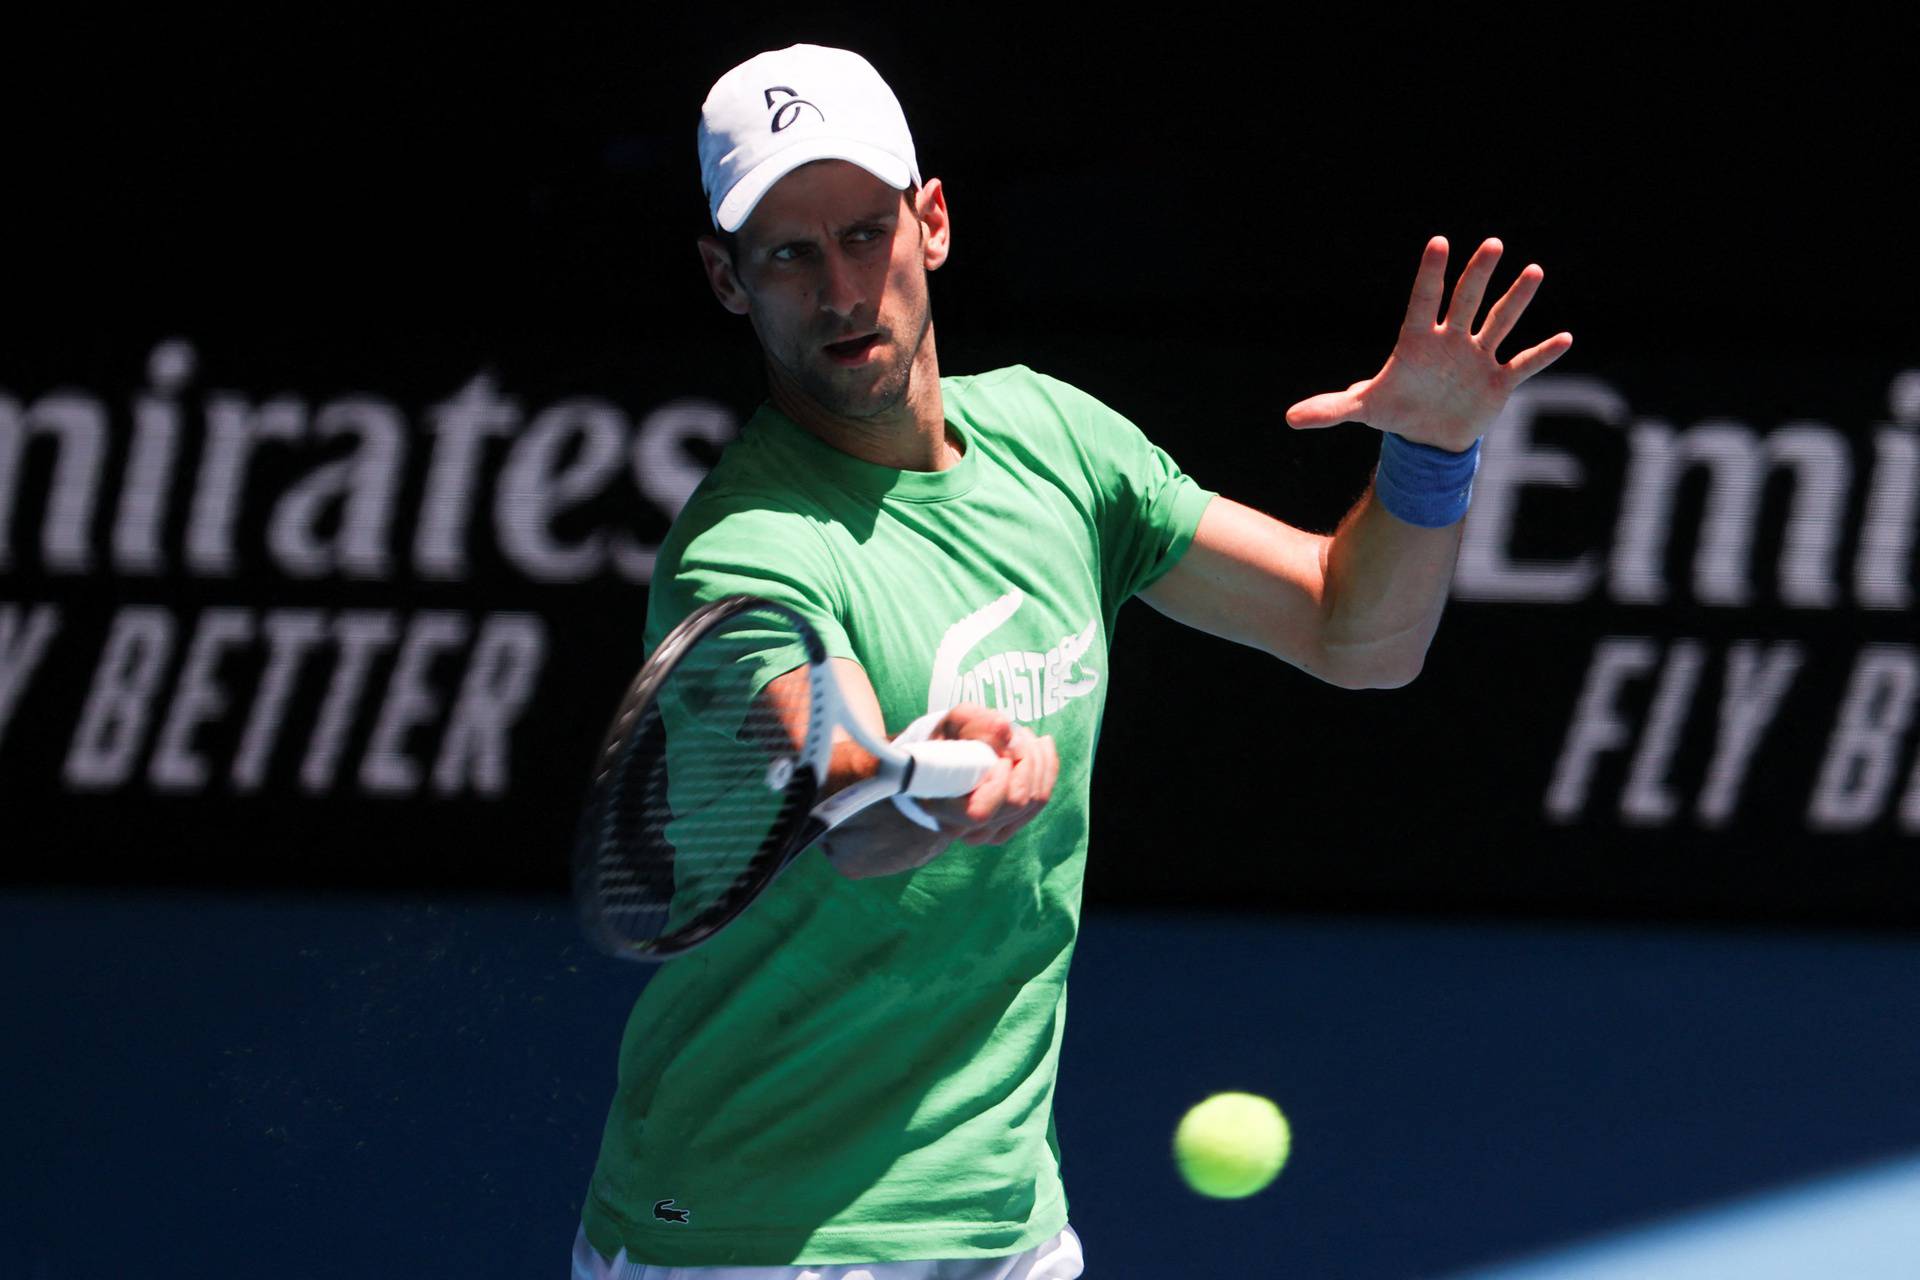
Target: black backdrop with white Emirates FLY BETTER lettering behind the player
348	367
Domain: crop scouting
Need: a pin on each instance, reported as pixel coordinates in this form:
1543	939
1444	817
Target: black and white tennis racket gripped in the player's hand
709	782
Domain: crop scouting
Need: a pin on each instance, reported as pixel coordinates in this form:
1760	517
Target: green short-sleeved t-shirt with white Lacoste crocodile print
865	1070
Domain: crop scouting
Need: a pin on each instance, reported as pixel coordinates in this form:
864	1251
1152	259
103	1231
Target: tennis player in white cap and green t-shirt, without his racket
855	1081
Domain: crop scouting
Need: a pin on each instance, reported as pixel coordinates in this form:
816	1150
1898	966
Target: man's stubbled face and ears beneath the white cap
832	268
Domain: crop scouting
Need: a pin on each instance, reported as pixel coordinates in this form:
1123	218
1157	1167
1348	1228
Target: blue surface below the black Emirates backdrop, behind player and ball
352	1087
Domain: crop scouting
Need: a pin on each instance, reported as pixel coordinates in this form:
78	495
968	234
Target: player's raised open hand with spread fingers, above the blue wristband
1445	383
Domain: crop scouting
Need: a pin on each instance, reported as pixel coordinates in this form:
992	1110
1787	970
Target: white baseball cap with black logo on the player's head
786	108
